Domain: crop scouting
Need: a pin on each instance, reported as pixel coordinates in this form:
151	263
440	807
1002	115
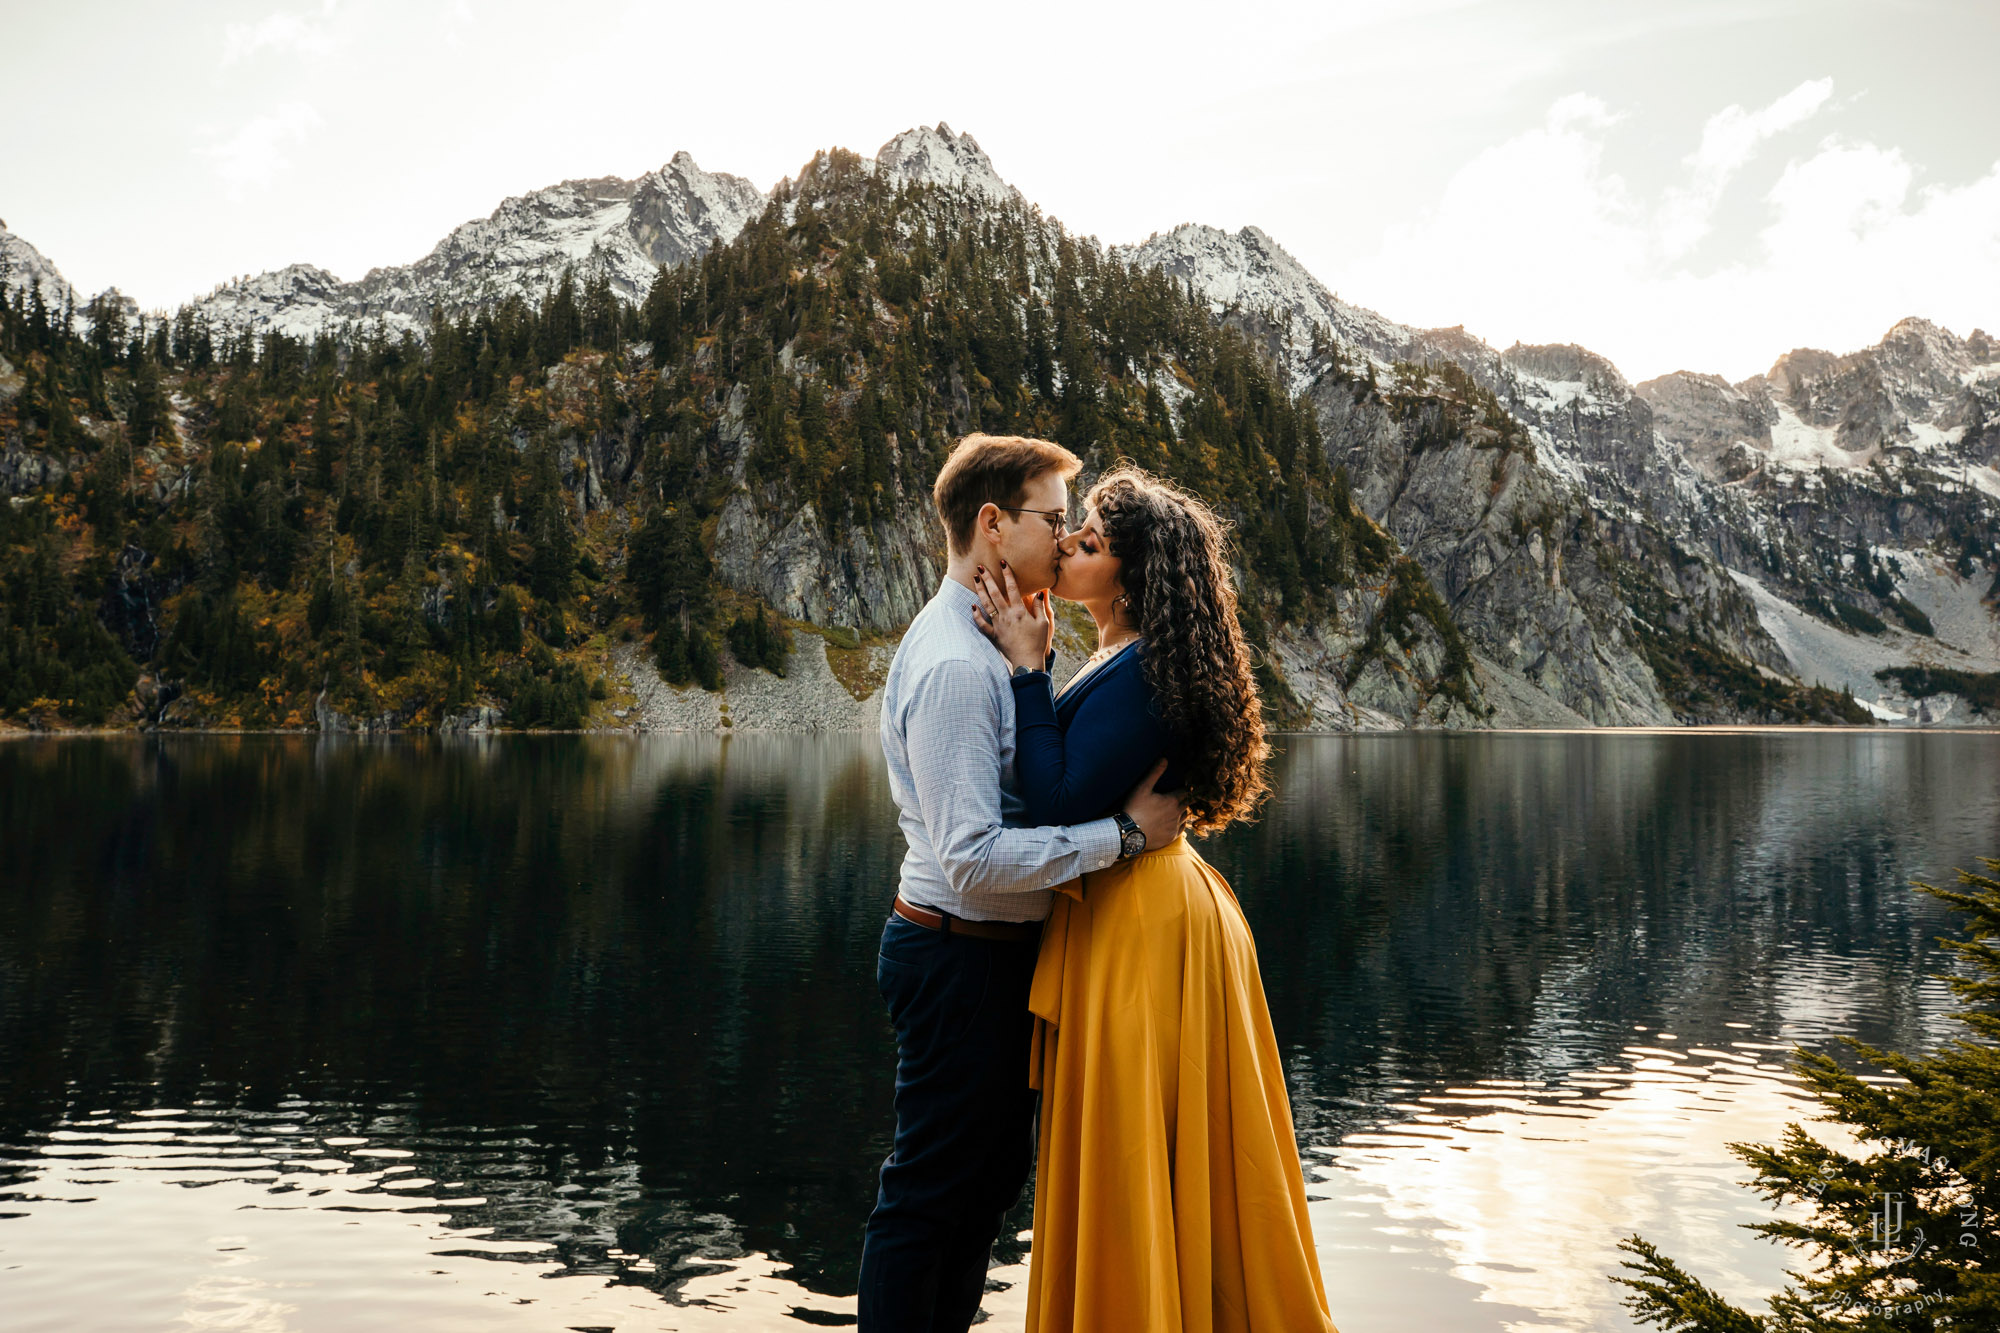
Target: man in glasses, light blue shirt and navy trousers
959	948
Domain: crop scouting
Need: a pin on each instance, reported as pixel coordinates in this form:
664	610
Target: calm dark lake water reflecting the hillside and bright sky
583	1034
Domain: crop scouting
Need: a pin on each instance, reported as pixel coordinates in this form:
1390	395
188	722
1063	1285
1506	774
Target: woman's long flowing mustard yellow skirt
1169	1194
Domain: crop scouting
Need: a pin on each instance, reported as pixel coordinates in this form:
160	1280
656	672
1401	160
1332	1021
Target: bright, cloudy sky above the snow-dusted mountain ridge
1681	185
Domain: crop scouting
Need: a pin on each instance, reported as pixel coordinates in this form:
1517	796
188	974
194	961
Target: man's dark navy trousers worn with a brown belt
965	1126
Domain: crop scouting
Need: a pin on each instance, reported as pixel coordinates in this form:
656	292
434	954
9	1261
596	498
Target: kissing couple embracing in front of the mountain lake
1071	984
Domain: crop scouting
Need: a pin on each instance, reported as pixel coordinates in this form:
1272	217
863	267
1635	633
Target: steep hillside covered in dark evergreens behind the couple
211	529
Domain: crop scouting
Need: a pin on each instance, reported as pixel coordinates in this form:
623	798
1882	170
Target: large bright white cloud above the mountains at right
1537	239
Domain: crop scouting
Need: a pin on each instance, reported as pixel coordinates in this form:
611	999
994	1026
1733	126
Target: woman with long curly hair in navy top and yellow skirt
1169	1192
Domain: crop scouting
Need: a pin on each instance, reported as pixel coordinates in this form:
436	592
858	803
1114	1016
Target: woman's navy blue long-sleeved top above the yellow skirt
1079	758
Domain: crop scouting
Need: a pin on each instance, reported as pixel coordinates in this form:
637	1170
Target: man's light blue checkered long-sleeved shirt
949	738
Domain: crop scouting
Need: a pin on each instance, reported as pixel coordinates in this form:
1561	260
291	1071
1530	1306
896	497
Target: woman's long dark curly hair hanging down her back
1179	595
